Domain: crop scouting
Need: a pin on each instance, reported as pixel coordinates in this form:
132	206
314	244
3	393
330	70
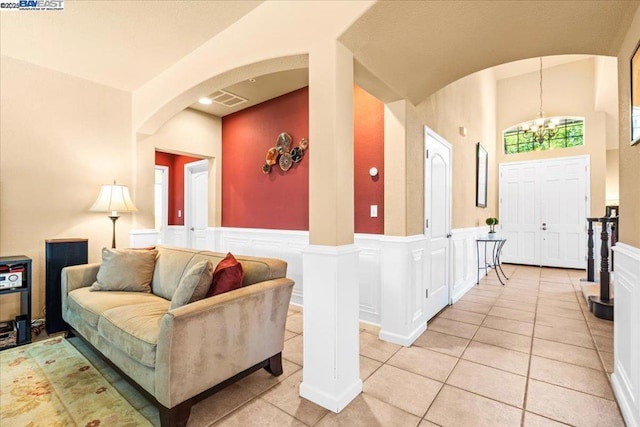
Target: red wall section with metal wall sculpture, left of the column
250	198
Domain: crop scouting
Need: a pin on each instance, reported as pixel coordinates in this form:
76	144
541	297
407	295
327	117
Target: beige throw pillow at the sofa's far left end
125	270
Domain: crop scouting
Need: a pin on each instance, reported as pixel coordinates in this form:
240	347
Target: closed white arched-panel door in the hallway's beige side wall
437	221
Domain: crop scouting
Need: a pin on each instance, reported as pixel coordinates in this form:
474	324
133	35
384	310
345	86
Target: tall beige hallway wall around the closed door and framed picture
471	103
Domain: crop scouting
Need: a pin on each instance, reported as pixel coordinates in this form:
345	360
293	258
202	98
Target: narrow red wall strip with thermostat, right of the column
368	152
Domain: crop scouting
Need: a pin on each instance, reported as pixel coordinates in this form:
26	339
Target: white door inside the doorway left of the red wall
196	203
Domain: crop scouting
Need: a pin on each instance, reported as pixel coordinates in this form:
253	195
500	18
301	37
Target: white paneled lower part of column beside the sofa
331	376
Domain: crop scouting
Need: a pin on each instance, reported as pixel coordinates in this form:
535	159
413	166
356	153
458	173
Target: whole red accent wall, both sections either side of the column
280	200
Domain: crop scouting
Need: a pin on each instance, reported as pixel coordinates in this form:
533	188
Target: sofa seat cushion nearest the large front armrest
134	329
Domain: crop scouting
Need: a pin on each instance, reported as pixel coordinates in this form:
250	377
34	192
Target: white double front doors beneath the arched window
543	210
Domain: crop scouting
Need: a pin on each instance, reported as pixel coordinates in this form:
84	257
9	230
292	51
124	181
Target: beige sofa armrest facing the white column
206	342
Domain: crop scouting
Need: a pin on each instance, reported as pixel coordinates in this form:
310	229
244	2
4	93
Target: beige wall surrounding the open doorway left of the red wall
189	132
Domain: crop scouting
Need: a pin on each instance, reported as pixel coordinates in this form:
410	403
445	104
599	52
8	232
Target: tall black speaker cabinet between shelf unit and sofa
60	253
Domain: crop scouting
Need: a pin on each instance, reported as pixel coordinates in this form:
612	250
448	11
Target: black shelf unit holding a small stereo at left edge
12	267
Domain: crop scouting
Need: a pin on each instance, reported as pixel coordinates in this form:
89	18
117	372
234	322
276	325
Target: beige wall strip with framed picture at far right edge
629	155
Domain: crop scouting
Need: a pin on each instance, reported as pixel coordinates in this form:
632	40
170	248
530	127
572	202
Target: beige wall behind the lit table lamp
61	138
